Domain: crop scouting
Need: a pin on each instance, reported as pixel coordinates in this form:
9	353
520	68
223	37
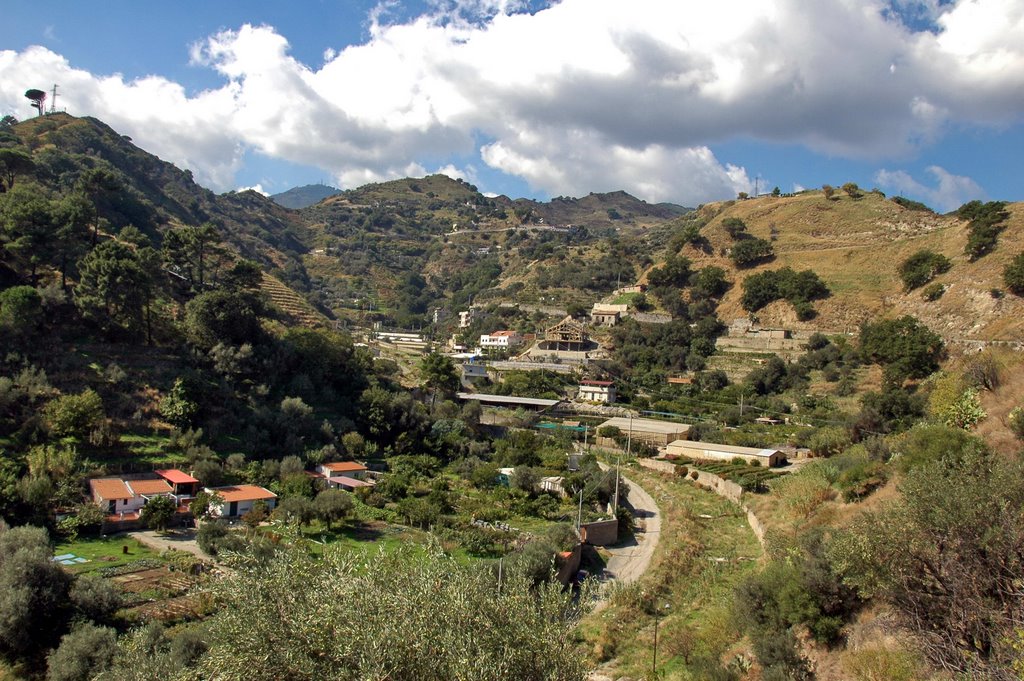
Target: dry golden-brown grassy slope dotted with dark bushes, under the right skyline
857	246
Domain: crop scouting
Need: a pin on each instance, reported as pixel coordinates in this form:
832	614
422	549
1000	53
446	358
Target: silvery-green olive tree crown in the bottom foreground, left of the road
401	616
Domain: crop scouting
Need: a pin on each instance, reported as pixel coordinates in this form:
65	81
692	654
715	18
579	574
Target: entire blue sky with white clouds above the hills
680	101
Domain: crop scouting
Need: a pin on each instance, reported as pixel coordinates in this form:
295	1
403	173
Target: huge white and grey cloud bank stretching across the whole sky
582	96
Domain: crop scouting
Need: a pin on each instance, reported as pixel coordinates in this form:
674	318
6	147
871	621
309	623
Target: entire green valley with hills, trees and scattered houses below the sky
619	437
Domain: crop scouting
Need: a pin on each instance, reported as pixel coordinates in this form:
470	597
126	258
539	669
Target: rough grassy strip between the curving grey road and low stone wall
697	566
